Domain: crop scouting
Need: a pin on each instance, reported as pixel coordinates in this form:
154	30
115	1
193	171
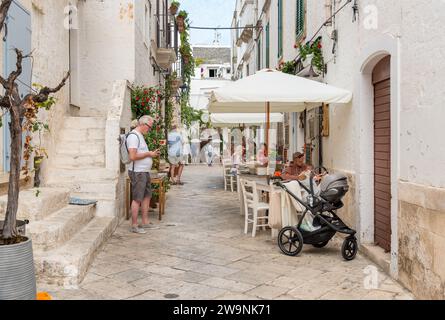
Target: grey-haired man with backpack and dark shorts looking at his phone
139	172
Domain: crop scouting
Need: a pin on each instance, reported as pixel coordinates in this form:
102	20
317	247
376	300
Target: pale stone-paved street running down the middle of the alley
201	252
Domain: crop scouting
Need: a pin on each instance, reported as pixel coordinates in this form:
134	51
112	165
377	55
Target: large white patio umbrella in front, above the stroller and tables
274	91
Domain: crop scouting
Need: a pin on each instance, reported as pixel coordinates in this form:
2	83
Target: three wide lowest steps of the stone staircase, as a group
65	237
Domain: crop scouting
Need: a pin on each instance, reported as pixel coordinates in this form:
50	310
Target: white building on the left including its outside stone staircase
106	45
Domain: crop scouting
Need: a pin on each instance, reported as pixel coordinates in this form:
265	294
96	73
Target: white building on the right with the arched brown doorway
386	140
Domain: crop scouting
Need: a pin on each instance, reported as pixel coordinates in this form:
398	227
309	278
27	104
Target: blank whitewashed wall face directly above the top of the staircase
107	51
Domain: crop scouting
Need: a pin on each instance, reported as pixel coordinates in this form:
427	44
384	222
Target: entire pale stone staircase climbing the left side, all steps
66	238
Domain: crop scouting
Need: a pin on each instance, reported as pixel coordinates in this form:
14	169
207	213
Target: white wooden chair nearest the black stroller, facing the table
252	202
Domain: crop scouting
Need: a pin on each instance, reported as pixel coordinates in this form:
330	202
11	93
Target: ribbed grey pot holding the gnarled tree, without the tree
17	275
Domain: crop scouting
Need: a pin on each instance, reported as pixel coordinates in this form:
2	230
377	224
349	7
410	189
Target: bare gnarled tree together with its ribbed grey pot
17	277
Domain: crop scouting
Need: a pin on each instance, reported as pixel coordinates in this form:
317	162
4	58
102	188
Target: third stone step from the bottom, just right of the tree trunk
35	207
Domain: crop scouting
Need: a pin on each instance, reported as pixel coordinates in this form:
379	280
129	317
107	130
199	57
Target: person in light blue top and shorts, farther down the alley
175	155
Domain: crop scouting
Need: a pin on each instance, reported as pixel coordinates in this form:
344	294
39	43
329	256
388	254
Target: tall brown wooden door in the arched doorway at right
382	153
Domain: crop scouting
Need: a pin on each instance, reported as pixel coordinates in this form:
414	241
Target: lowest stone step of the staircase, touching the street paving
67	266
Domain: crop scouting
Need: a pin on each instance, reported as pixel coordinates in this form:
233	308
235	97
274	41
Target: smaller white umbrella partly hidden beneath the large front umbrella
228	120
